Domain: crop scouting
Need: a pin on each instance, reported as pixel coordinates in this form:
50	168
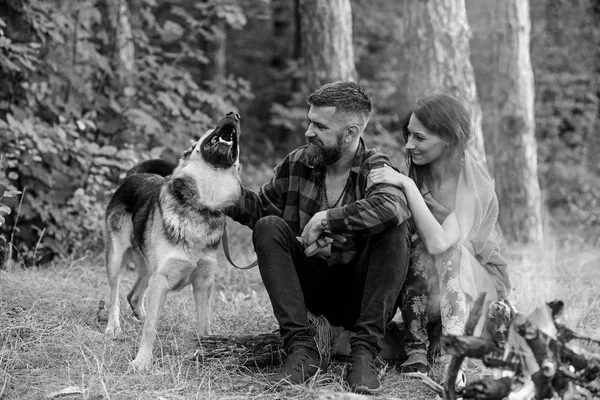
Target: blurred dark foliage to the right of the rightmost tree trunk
566	111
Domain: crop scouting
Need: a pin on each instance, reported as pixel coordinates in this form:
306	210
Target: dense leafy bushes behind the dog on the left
72	119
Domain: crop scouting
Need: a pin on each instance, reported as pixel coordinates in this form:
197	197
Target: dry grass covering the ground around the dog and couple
51	339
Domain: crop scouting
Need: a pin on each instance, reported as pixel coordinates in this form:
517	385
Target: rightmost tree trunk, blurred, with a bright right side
504	78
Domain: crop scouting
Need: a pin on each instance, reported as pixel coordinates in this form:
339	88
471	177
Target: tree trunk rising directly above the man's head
327	41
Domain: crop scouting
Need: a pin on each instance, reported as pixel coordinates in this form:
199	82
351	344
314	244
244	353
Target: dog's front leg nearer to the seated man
203	285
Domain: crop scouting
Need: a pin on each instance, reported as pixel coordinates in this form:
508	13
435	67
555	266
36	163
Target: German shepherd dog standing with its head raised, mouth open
171	223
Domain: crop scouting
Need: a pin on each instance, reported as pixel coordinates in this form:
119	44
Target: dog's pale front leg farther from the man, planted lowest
157	293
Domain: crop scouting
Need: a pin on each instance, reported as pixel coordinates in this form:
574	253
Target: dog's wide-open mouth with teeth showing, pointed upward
220	148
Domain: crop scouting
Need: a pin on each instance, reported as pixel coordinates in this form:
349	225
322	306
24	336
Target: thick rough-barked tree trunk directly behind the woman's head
435	57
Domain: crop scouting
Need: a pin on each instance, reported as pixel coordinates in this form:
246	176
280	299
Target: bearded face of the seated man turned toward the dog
325	136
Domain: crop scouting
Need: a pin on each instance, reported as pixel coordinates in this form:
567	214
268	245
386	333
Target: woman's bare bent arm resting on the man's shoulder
436	238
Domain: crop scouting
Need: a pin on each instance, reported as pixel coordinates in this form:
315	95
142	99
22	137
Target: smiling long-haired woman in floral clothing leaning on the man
455	251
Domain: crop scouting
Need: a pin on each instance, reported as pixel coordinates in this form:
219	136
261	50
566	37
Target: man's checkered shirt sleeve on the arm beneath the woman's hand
382	207
